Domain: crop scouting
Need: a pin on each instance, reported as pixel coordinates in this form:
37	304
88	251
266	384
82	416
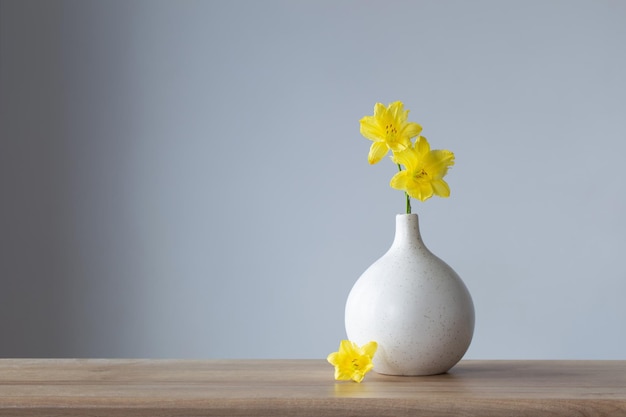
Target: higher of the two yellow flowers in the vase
389	129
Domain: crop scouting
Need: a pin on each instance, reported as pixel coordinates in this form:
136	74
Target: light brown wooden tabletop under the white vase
158	388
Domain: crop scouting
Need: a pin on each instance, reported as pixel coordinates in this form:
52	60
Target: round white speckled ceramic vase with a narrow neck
413	305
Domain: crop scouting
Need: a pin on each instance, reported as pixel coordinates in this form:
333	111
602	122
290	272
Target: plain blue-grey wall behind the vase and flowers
187	178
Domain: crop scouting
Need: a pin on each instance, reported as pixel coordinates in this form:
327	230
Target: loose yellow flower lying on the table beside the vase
352	362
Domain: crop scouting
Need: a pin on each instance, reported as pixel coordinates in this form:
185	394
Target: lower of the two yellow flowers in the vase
424	171
